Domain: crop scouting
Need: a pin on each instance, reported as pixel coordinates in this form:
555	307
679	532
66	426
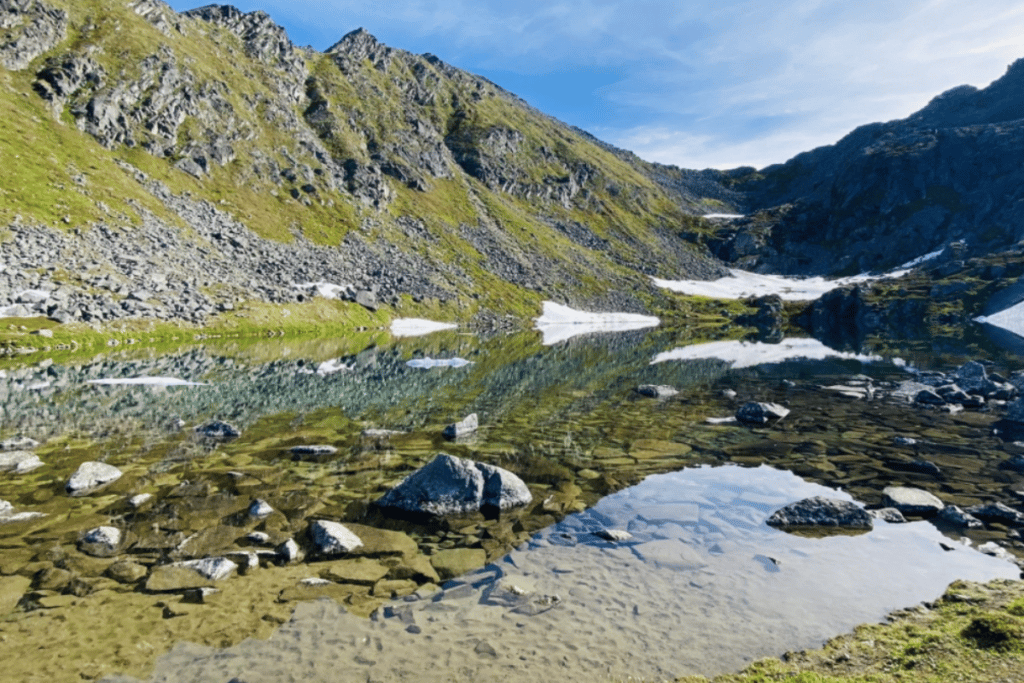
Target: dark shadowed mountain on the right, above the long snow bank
890	192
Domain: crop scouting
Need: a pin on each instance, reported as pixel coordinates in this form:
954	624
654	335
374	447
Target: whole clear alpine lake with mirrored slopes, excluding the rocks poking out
702	586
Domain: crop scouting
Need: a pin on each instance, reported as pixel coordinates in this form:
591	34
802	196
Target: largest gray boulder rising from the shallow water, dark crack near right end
451	486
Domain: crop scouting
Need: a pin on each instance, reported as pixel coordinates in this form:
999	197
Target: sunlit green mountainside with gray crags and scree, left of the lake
170	166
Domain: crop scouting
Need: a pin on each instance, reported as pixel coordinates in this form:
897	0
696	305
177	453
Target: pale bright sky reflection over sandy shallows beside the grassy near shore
704	586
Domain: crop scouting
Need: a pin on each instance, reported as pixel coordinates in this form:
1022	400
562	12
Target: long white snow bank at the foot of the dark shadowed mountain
742	284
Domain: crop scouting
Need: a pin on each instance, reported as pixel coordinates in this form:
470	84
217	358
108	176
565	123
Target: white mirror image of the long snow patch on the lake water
748	355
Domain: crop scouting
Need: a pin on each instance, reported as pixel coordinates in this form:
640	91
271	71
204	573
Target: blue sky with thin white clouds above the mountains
696	83
